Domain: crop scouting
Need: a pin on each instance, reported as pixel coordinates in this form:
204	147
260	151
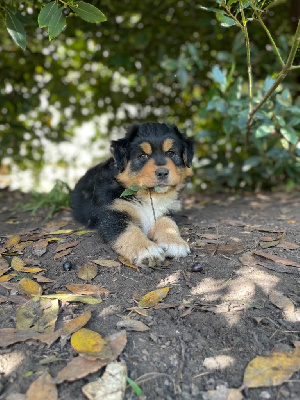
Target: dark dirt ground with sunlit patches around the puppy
207	329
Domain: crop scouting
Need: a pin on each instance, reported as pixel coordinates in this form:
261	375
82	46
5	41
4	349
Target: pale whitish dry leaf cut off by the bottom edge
110	386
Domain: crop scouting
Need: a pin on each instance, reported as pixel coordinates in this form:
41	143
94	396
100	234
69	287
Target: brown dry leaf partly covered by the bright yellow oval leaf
80	367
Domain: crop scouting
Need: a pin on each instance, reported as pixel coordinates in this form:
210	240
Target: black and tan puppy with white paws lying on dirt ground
157	158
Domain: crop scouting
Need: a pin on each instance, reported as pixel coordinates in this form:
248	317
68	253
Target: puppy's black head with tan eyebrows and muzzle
153	155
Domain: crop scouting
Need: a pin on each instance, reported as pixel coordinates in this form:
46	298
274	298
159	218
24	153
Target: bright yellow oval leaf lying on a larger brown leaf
90	344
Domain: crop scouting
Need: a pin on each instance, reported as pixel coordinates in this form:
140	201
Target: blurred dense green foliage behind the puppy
153	60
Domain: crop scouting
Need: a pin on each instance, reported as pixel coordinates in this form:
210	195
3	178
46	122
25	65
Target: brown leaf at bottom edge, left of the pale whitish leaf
42	388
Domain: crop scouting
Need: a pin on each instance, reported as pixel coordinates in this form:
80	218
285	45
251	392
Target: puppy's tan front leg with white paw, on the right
166	234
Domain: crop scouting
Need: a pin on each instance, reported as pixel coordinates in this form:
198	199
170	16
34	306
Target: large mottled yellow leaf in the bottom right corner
272	370
